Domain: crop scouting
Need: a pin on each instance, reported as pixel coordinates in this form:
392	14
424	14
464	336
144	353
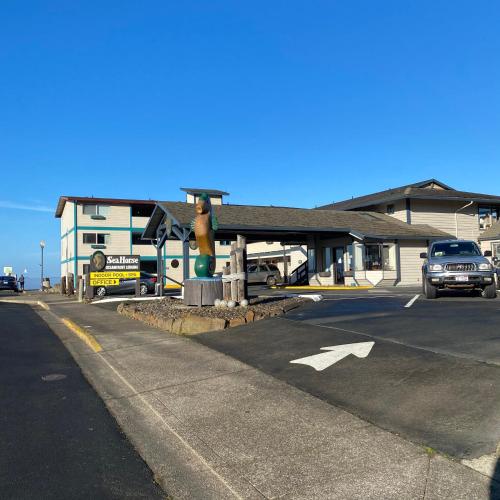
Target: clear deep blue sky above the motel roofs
283	102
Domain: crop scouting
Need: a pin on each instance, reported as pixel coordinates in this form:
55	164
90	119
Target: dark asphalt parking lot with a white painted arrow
431	373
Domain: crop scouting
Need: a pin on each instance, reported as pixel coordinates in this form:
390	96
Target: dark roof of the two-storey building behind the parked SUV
414	192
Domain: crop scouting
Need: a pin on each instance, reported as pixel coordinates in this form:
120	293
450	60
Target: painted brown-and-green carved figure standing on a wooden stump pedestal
204	225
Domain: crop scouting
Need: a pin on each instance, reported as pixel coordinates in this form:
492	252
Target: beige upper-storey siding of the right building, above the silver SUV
441	215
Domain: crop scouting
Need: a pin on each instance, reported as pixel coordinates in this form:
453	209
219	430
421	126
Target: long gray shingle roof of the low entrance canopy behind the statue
247	217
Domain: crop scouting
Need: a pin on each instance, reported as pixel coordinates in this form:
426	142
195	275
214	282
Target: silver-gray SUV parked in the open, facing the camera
457	264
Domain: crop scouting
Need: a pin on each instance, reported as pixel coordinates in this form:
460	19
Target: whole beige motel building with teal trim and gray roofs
370	240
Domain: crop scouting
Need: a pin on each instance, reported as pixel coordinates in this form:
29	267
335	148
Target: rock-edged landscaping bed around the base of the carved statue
173	316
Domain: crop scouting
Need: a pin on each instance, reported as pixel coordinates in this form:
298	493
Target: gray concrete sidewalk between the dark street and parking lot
212	427
